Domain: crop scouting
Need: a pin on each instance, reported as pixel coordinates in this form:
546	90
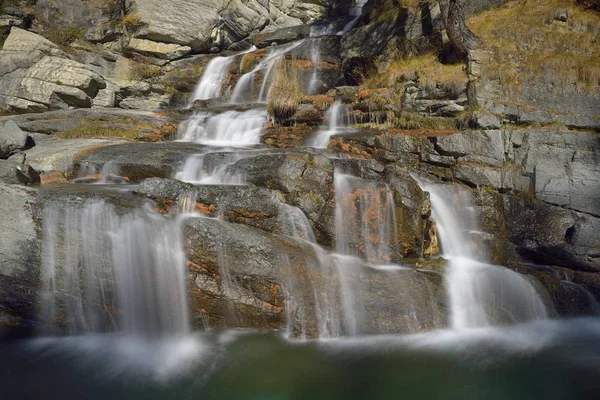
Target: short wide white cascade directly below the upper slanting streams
231	128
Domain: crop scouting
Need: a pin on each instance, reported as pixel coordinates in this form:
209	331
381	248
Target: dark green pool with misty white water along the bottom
543	360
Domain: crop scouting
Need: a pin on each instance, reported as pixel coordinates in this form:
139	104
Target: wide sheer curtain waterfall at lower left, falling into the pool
106	271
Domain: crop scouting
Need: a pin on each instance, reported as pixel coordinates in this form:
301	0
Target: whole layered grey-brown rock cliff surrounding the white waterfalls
84	84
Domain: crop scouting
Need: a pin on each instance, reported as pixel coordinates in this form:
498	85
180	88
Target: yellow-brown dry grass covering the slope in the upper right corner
528	44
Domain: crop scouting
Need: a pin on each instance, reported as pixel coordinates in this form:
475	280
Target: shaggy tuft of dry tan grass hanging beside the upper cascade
285	95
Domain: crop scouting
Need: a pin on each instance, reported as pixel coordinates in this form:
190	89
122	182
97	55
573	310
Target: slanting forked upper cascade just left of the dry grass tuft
243	92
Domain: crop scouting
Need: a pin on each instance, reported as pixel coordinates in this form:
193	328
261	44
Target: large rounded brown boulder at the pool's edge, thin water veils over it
246	278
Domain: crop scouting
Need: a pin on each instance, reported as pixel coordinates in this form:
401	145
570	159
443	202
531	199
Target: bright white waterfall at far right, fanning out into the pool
480	294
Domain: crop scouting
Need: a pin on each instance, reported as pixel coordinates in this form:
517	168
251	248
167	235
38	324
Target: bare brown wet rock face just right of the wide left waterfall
236	274
